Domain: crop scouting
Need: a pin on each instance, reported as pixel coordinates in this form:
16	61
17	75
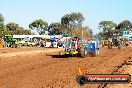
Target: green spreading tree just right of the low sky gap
107	28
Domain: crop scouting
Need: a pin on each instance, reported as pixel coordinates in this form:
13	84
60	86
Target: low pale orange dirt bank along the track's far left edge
29	51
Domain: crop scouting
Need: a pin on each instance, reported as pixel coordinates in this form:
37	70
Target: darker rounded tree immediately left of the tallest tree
56	28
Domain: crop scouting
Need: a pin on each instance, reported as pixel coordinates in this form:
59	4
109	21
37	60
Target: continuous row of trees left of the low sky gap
69	25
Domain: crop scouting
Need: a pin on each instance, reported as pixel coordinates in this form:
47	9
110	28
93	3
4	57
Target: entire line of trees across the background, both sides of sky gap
69	25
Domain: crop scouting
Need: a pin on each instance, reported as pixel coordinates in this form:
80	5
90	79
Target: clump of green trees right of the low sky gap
109	28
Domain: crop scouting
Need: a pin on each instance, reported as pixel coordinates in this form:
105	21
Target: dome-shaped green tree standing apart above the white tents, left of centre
39	25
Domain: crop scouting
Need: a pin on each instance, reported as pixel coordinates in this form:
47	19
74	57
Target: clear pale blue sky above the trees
24	12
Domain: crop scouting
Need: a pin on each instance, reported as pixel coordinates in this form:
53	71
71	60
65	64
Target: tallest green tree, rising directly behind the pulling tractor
71	21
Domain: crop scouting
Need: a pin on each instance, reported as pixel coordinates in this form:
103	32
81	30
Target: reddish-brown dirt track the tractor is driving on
49	71
